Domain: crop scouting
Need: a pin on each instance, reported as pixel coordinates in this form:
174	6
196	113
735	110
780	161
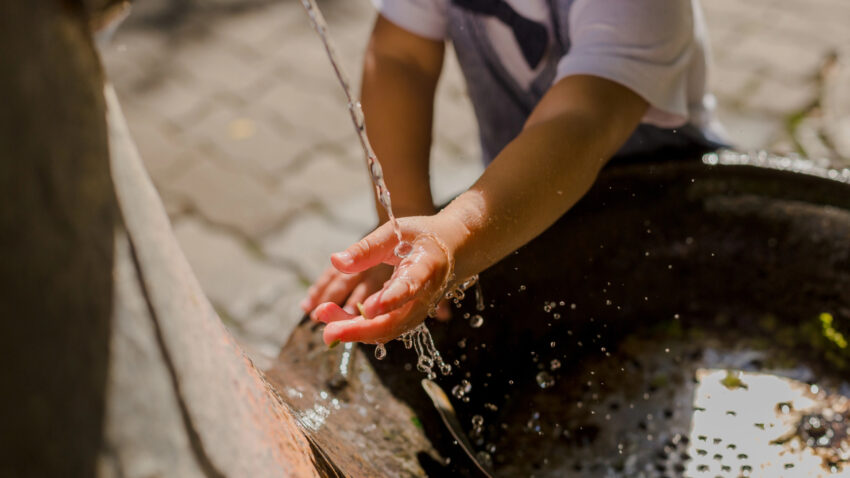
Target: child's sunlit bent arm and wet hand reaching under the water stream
575	129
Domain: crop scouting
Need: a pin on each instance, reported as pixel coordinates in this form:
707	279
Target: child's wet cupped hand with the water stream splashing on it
416	284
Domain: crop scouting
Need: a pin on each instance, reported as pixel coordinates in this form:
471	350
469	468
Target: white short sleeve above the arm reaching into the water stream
645	45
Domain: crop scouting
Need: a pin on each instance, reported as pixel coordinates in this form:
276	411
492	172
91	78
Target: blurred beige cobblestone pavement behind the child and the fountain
245	133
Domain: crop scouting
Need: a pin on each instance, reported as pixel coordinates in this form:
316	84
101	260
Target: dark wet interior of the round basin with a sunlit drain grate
601	335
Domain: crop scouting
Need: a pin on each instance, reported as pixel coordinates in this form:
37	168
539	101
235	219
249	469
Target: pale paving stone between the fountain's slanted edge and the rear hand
233	278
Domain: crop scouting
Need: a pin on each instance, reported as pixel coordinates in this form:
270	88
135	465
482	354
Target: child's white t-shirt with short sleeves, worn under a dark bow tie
656	48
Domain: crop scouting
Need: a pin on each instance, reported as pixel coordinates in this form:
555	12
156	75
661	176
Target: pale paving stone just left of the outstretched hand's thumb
309	241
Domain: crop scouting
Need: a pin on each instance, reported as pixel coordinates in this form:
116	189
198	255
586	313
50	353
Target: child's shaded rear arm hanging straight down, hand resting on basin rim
400	74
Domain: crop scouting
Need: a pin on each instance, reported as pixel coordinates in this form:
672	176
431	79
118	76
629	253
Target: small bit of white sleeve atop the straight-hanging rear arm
427	18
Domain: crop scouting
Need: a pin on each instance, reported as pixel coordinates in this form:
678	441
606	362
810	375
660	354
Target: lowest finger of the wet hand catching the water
381	329
